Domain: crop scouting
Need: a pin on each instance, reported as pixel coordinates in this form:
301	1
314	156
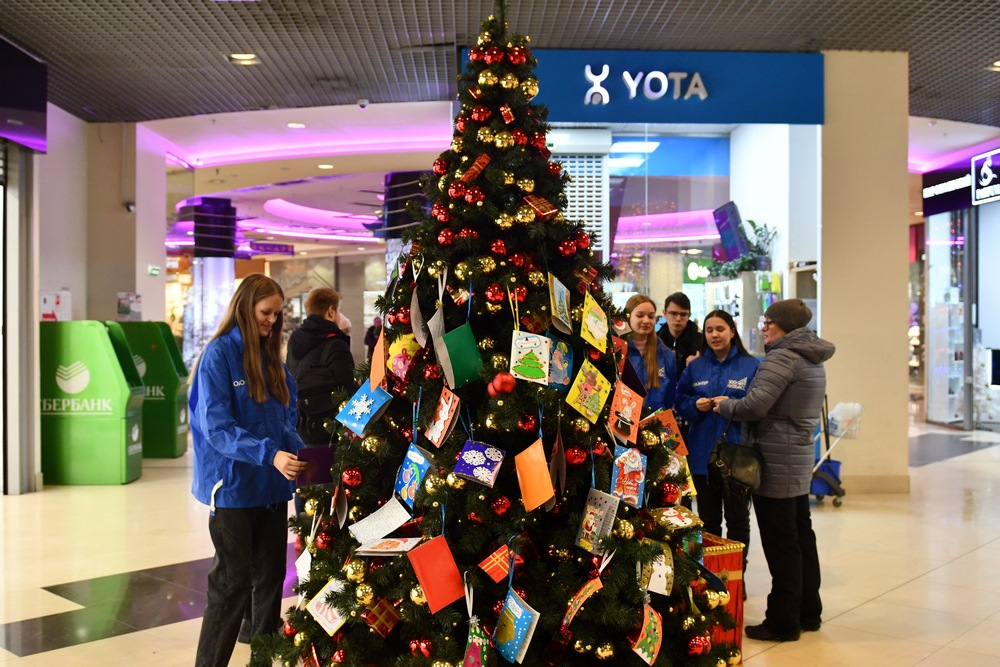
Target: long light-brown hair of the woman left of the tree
255	288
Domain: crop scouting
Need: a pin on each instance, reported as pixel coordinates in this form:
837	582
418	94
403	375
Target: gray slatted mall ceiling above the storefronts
139	60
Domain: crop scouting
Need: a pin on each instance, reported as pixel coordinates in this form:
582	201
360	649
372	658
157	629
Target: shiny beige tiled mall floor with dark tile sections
115	575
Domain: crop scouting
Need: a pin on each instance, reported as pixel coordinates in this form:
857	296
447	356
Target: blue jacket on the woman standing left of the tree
235	438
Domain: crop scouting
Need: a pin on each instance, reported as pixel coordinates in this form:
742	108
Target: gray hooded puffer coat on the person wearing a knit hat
782	409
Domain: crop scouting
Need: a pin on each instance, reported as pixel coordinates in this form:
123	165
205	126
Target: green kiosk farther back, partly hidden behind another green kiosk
161	367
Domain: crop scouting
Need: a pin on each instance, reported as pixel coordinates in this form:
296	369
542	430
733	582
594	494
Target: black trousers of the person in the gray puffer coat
789	544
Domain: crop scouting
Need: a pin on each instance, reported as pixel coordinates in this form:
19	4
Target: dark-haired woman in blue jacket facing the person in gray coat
724	368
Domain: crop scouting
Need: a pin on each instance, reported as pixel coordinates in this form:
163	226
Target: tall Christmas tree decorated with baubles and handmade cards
473	518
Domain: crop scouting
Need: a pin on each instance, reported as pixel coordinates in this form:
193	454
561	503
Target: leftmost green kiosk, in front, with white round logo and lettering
91	410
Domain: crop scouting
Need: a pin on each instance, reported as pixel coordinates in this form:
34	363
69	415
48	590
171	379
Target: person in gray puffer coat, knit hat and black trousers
780	411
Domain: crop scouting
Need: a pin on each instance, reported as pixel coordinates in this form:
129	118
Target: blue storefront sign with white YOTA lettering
680	86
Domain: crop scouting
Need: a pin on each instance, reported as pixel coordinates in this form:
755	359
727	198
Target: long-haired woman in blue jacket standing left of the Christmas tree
242	406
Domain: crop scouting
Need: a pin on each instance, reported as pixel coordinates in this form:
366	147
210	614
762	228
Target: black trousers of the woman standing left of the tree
248	570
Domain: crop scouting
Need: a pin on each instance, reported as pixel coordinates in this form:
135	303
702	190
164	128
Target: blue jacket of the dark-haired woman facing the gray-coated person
707	377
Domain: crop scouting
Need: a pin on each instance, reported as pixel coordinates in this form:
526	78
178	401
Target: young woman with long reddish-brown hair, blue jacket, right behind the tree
655	364
